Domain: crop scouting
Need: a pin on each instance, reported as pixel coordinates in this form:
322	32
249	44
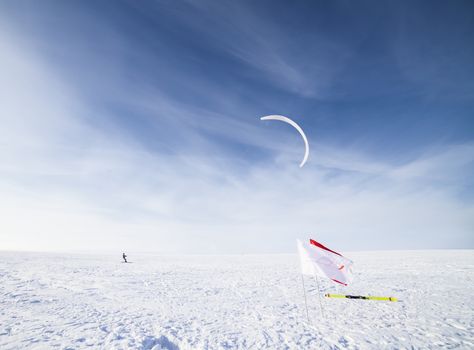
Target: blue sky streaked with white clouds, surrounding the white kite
135	125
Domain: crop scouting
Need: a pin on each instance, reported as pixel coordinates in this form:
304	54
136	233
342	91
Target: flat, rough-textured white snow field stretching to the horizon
245	301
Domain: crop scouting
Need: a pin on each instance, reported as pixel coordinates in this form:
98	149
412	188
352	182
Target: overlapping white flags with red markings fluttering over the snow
317	259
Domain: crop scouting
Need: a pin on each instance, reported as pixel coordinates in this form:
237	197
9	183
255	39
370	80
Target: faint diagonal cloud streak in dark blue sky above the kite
270	49
